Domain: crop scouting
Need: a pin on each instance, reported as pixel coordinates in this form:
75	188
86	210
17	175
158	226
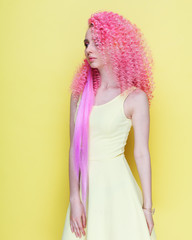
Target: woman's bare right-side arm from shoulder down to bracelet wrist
141	124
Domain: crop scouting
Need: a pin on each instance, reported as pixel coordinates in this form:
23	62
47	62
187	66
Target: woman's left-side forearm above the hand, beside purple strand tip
73	182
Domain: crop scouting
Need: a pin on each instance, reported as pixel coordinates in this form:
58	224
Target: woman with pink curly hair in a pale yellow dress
111	92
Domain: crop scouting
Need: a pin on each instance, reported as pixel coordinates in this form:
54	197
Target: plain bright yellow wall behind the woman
41	47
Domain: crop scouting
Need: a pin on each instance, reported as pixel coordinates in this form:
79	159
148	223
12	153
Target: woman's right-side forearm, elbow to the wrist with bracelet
143	163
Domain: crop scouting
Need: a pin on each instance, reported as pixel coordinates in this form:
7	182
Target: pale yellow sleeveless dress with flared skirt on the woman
114	204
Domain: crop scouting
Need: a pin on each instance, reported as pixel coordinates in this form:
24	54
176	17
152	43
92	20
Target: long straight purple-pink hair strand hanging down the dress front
81	135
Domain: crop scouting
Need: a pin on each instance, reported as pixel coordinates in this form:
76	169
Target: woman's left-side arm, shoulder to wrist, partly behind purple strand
74	184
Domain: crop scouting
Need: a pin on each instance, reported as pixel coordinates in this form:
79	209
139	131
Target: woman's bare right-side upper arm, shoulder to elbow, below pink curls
141	123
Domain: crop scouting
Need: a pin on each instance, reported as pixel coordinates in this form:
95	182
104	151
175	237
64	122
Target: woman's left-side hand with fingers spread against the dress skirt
77	217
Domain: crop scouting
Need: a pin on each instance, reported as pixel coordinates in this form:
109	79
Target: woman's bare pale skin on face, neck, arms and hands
136	107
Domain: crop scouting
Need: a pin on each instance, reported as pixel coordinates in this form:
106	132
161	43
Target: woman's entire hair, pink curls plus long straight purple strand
131	63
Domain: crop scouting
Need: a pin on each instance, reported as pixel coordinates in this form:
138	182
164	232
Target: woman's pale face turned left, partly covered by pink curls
94	57
